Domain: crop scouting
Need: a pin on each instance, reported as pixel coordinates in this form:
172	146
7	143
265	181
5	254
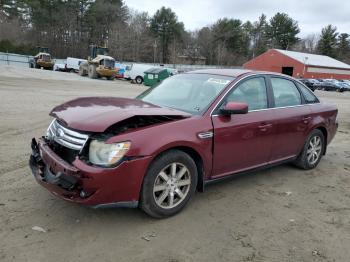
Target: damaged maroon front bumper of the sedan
88	185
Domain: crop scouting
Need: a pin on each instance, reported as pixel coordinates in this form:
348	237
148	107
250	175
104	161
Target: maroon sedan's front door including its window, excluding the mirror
243	141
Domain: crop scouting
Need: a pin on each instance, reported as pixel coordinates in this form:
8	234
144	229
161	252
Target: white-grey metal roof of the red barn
315	60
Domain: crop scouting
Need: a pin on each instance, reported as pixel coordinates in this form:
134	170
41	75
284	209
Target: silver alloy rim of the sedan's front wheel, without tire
171	185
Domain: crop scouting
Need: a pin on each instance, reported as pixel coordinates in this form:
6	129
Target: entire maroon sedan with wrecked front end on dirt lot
156	150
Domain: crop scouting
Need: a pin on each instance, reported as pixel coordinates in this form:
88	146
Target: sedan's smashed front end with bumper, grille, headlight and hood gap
80	166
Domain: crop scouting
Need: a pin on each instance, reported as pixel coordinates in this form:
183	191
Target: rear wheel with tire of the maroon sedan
304	161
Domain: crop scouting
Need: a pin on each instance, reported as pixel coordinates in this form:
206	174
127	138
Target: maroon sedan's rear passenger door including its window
291	119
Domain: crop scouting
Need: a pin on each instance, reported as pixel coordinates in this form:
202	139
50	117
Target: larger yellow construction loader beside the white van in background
98	64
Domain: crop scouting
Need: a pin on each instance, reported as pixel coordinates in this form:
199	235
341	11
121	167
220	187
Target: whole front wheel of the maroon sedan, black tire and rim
172	194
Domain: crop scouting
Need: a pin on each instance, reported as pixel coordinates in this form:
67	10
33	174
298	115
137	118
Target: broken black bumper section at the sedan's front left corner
44	174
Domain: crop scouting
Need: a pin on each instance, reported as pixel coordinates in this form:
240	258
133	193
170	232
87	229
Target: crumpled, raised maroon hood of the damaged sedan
96	114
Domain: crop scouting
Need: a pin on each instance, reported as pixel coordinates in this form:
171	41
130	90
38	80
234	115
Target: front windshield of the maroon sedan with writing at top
192	93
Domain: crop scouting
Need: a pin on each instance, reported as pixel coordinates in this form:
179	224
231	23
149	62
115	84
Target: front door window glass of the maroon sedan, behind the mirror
252	92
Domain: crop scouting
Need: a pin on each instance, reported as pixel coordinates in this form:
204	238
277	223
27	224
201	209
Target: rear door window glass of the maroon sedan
285	92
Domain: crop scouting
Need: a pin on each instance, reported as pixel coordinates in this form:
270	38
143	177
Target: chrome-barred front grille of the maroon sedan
66	137
